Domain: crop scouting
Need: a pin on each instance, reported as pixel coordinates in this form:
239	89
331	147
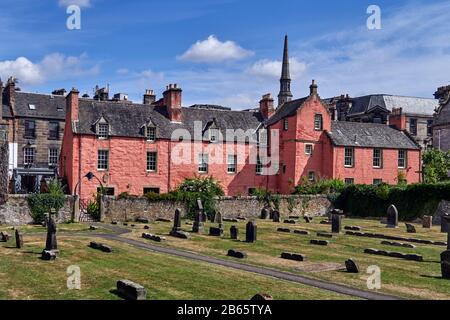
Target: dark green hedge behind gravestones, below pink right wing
412	201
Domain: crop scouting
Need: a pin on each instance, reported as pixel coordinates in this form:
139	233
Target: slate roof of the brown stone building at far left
46	106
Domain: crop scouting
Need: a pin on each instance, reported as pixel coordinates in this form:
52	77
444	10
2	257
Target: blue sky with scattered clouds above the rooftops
226	51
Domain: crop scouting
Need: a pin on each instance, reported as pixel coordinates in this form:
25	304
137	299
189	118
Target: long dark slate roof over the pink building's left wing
127	119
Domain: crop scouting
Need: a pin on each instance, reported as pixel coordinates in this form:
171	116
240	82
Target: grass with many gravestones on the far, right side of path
409	279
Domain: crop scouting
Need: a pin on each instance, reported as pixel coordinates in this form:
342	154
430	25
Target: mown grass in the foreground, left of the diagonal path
23	275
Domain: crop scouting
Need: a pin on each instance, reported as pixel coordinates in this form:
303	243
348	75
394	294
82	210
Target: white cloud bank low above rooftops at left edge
52	67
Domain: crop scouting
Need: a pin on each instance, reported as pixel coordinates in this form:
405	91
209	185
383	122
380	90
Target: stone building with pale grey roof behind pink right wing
412	114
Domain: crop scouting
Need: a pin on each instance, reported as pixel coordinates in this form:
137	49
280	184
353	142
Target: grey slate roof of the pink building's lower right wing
369	135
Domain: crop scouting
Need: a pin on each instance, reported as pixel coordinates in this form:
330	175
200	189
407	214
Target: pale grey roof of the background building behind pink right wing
410	105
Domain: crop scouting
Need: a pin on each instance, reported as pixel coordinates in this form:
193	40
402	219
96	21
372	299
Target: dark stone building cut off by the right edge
441	128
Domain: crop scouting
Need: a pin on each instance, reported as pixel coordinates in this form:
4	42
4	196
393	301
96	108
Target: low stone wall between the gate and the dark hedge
248	207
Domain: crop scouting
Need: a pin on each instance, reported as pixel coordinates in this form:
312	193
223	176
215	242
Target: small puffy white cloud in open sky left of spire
212	50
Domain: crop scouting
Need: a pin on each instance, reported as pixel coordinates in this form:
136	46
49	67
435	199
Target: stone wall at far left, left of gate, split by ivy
16	211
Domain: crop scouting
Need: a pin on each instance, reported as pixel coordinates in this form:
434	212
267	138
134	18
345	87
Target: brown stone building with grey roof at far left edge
36	126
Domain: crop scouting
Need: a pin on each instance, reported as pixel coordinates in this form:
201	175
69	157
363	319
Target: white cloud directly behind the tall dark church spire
272	68
